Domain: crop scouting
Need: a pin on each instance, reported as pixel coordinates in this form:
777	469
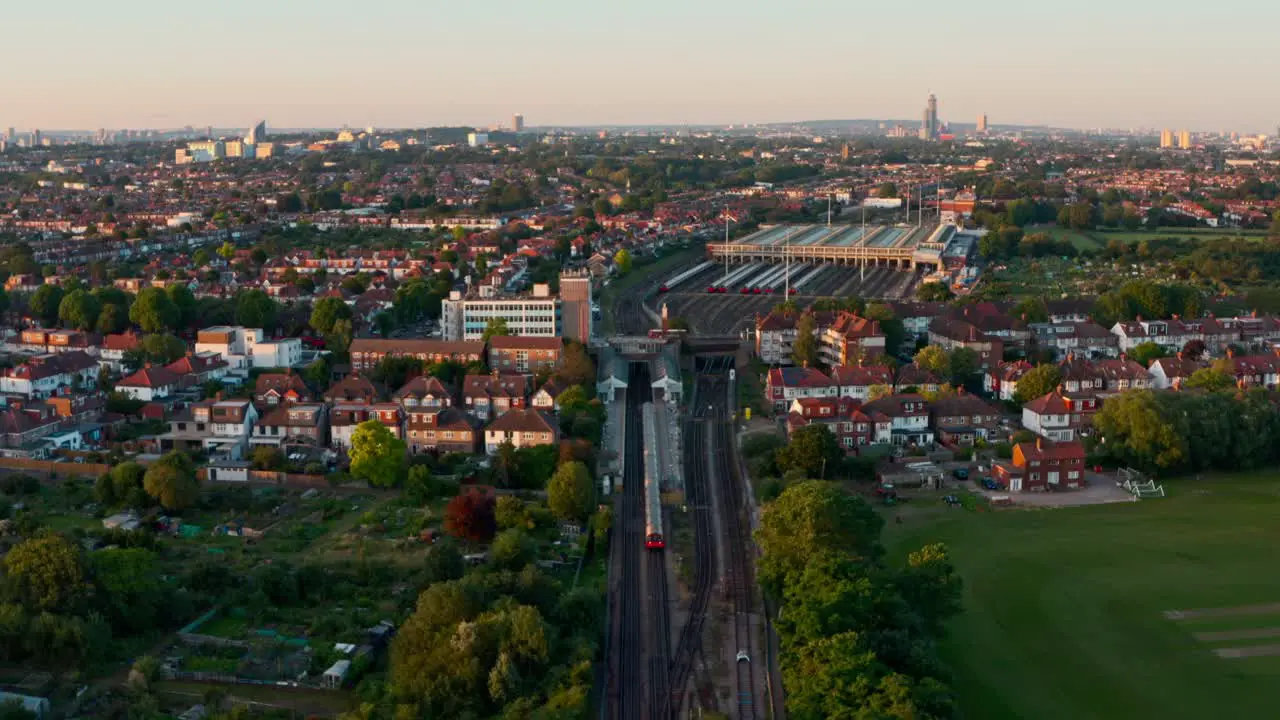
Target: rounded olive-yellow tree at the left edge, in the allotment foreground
47	573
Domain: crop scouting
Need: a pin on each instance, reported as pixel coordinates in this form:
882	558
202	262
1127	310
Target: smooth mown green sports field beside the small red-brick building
1066	610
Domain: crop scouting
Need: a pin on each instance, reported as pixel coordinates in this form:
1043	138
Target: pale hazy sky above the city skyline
395	63
